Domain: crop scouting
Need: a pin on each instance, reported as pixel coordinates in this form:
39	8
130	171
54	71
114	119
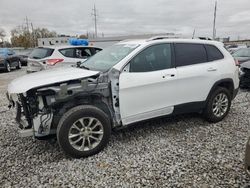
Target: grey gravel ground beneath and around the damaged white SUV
184	151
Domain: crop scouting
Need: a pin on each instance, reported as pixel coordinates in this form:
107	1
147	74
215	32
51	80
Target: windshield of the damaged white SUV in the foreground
108	57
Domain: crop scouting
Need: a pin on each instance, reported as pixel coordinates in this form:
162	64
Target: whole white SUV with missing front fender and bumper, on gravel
126	83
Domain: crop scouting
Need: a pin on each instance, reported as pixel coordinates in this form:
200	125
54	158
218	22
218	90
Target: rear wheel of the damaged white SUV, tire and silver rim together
220	99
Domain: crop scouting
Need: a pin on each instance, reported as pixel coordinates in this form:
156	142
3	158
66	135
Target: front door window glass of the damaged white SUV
157	57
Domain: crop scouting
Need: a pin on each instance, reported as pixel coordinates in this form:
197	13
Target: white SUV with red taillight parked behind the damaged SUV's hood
42	58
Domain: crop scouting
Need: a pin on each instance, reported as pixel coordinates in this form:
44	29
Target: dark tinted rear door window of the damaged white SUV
189	54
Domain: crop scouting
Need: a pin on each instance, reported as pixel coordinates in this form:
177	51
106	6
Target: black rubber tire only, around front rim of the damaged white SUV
72	116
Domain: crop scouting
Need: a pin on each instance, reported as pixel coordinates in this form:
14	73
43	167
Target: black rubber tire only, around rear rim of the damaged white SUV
208	112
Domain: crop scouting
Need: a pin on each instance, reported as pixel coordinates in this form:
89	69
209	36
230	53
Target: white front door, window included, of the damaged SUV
148	86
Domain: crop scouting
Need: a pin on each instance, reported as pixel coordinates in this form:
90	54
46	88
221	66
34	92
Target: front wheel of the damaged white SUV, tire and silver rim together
86	122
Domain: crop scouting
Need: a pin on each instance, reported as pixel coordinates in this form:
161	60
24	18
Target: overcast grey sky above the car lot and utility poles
125	17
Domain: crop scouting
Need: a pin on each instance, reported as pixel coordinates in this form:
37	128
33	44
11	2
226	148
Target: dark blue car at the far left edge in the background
9	60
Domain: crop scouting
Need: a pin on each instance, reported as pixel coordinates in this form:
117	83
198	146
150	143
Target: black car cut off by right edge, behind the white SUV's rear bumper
245	75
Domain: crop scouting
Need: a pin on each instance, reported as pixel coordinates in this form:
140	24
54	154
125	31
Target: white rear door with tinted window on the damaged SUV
196	73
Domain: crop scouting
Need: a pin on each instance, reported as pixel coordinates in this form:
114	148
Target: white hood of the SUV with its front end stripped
47	77
